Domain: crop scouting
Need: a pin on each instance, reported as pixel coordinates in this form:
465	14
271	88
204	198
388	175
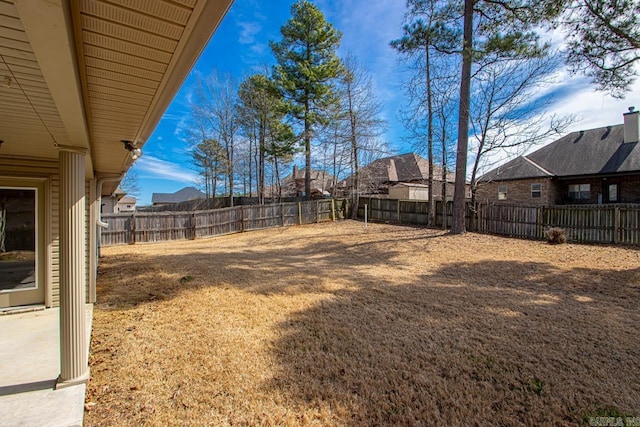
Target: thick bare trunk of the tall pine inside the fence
459	195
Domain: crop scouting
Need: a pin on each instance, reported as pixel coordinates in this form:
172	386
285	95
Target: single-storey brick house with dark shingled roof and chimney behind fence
599	165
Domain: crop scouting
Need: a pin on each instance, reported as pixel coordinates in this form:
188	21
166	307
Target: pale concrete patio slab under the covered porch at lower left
29	367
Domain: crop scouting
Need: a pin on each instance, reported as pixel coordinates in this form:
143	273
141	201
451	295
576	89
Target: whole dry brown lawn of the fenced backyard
337	324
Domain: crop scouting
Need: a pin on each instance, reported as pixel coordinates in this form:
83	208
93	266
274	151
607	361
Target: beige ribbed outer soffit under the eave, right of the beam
135	55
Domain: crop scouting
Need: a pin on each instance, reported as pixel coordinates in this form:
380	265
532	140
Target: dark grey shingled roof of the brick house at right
597	151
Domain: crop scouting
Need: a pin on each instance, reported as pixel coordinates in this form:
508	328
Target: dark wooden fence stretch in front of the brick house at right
582	223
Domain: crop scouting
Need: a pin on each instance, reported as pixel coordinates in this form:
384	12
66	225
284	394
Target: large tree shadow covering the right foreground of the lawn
473	344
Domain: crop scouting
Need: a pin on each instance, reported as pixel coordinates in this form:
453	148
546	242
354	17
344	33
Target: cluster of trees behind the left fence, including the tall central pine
244	135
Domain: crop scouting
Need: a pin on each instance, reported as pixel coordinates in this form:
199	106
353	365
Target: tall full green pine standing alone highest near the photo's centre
306	66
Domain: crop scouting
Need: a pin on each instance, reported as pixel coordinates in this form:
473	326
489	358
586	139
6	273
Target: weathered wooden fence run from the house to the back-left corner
147	227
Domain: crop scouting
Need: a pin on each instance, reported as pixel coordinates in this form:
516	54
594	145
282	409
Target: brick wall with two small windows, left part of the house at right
518	192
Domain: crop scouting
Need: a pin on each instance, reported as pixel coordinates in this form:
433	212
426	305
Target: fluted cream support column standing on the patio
73	339
